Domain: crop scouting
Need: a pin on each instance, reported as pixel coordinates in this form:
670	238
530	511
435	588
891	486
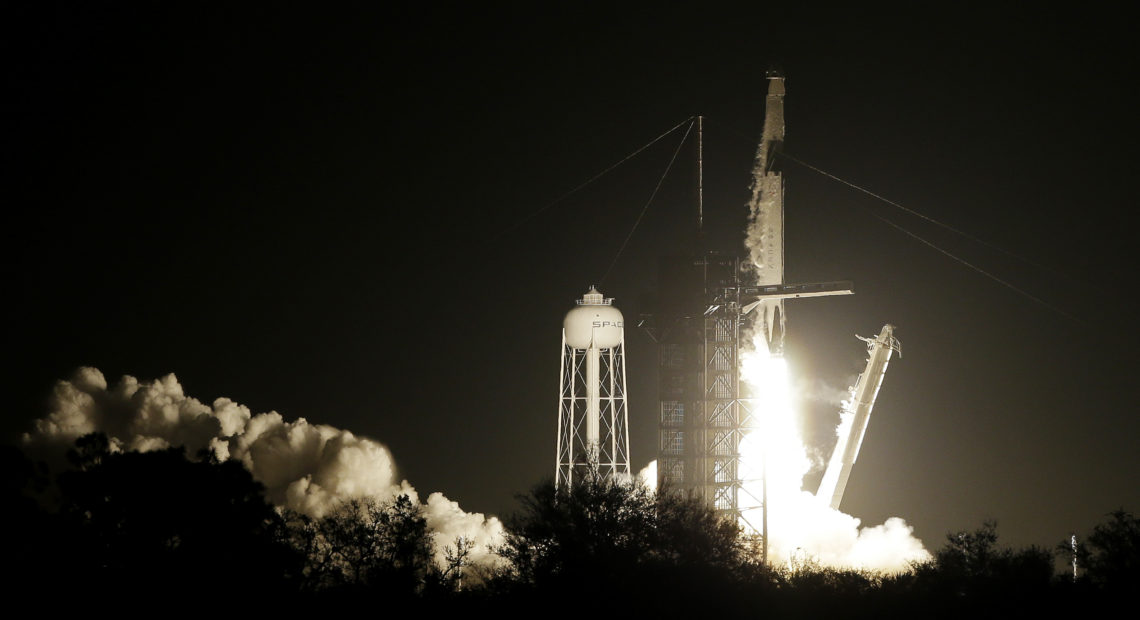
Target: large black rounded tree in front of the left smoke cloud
157	523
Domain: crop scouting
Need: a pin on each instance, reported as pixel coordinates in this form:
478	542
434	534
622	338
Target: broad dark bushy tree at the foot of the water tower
622	544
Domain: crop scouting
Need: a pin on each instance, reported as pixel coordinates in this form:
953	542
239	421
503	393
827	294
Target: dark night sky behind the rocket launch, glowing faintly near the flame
317	213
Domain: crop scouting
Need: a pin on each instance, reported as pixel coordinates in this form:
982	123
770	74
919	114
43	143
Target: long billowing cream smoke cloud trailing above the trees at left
305	468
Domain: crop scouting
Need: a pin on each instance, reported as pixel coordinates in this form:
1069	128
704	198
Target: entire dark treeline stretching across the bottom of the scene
144	529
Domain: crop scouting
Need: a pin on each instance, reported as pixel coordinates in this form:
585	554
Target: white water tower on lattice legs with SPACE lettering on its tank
593	420
